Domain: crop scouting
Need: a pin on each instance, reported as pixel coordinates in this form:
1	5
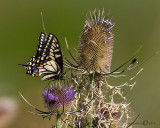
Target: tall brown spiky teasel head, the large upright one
96	44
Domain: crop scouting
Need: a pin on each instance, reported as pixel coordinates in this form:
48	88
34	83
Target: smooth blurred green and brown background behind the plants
137	22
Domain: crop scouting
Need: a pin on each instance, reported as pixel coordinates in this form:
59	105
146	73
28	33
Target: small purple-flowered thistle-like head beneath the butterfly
57	98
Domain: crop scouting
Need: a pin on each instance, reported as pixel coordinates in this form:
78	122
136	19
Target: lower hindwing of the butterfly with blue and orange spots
43	66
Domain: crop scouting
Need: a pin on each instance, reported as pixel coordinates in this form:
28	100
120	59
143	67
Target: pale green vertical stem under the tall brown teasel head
90	113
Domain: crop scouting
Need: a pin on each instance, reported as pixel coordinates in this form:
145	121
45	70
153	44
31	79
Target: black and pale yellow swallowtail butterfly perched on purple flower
48	60
